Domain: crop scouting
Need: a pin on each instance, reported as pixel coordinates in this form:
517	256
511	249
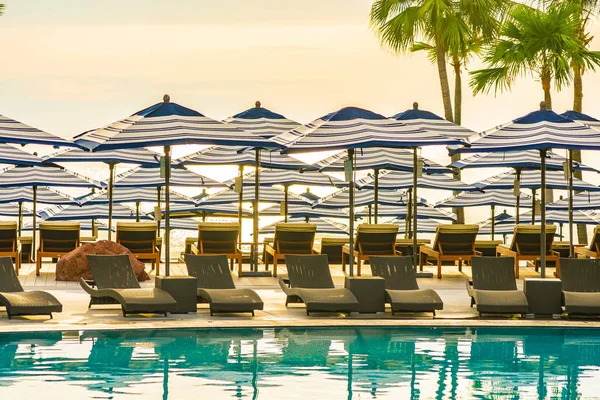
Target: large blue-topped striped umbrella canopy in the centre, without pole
353	128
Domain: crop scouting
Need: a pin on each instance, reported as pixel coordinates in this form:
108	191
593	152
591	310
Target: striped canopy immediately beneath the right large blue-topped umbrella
516	159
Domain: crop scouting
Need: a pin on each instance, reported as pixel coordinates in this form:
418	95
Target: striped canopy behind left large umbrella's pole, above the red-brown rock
150	177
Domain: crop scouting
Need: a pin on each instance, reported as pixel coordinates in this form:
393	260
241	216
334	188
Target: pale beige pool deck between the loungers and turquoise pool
77	316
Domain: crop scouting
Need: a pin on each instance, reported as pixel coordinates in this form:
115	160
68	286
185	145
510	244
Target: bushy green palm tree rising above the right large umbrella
538	43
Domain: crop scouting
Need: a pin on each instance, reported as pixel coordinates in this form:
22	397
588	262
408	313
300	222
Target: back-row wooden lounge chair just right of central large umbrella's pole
372	240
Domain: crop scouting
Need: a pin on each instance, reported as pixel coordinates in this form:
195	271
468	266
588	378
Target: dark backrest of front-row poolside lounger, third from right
397	271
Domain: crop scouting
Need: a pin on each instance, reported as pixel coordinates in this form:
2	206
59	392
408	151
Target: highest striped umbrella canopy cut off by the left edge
12	131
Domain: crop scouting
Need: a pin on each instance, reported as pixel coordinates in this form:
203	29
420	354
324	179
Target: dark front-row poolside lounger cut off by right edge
581	286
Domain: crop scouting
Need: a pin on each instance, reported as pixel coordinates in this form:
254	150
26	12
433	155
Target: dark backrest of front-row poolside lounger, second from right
493	273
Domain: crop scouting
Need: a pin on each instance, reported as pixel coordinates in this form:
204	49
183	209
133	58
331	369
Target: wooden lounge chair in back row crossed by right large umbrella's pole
525	246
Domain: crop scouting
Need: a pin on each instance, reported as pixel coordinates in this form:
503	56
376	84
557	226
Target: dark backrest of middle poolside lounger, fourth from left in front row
309	271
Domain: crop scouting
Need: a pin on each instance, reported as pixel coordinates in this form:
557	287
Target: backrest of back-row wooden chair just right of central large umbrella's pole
376	238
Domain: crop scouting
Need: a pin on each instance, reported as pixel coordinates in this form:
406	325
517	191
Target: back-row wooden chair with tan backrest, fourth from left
219	238
